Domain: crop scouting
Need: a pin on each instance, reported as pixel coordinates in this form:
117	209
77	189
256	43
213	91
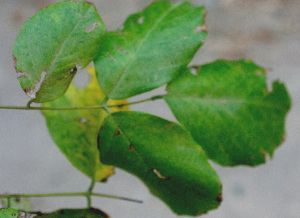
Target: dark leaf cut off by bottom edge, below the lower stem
75	213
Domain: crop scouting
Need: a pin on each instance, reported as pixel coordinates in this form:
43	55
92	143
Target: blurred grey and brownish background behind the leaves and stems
266	31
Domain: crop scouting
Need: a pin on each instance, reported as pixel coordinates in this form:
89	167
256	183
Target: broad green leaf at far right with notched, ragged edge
229	111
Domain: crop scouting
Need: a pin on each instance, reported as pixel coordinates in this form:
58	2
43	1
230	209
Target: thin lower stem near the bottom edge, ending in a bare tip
68	194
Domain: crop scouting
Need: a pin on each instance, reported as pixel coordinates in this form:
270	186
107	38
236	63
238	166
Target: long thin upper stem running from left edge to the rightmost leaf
97	107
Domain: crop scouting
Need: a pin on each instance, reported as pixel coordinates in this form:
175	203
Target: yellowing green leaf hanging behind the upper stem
75	131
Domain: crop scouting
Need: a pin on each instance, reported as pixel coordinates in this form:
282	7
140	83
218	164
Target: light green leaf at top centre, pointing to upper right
153	45
